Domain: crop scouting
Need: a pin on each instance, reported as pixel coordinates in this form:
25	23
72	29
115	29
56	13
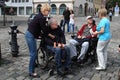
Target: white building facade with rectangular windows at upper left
18	7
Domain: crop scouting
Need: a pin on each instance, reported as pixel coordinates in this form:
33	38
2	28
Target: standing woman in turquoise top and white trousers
104	35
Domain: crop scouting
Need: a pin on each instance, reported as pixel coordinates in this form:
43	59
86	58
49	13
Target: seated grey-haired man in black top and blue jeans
55	41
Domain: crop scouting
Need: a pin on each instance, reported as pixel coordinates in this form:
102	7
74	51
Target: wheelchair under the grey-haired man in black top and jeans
46	56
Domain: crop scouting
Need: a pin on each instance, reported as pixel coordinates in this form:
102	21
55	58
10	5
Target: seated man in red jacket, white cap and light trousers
82	39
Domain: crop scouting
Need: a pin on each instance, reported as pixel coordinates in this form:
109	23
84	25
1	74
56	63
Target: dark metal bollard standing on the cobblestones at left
13	40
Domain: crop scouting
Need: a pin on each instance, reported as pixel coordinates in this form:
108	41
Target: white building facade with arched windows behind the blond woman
58	6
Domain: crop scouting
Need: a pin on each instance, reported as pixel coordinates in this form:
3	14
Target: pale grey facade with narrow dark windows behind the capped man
83	7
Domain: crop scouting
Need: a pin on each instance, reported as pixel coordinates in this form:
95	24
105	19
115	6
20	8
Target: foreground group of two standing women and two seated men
56	42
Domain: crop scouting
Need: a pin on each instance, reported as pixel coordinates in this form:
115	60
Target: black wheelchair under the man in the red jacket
91	52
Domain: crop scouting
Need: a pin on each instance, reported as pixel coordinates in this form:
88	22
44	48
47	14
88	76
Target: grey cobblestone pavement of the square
17	68
